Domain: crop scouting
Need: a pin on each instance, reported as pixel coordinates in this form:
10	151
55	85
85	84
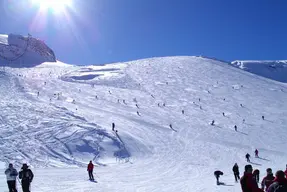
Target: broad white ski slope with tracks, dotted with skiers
57	117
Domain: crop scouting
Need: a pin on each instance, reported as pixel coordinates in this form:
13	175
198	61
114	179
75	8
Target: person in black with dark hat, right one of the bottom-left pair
27	177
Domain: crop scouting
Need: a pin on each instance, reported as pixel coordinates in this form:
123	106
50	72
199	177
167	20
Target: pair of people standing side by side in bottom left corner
25	174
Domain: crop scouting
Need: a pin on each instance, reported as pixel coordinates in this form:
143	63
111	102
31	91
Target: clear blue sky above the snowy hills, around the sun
105	31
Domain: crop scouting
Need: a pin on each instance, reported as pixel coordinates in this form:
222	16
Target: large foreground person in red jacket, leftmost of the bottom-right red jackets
248	183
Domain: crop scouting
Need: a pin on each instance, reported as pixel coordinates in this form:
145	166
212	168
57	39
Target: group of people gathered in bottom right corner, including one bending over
250	178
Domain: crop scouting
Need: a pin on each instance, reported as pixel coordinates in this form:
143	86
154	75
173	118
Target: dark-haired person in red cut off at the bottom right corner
279	184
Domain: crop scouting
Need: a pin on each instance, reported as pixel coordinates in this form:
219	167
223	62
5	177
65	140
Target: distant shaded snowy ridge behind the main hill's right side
276	70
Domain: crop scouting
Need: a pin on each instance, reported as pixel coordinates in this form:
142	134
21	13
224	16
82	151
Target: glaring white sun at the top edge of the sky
55	5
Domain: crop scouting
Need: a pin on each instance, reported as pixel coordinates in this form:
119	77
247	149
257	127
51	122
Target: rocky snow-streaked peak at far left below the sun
17	50
